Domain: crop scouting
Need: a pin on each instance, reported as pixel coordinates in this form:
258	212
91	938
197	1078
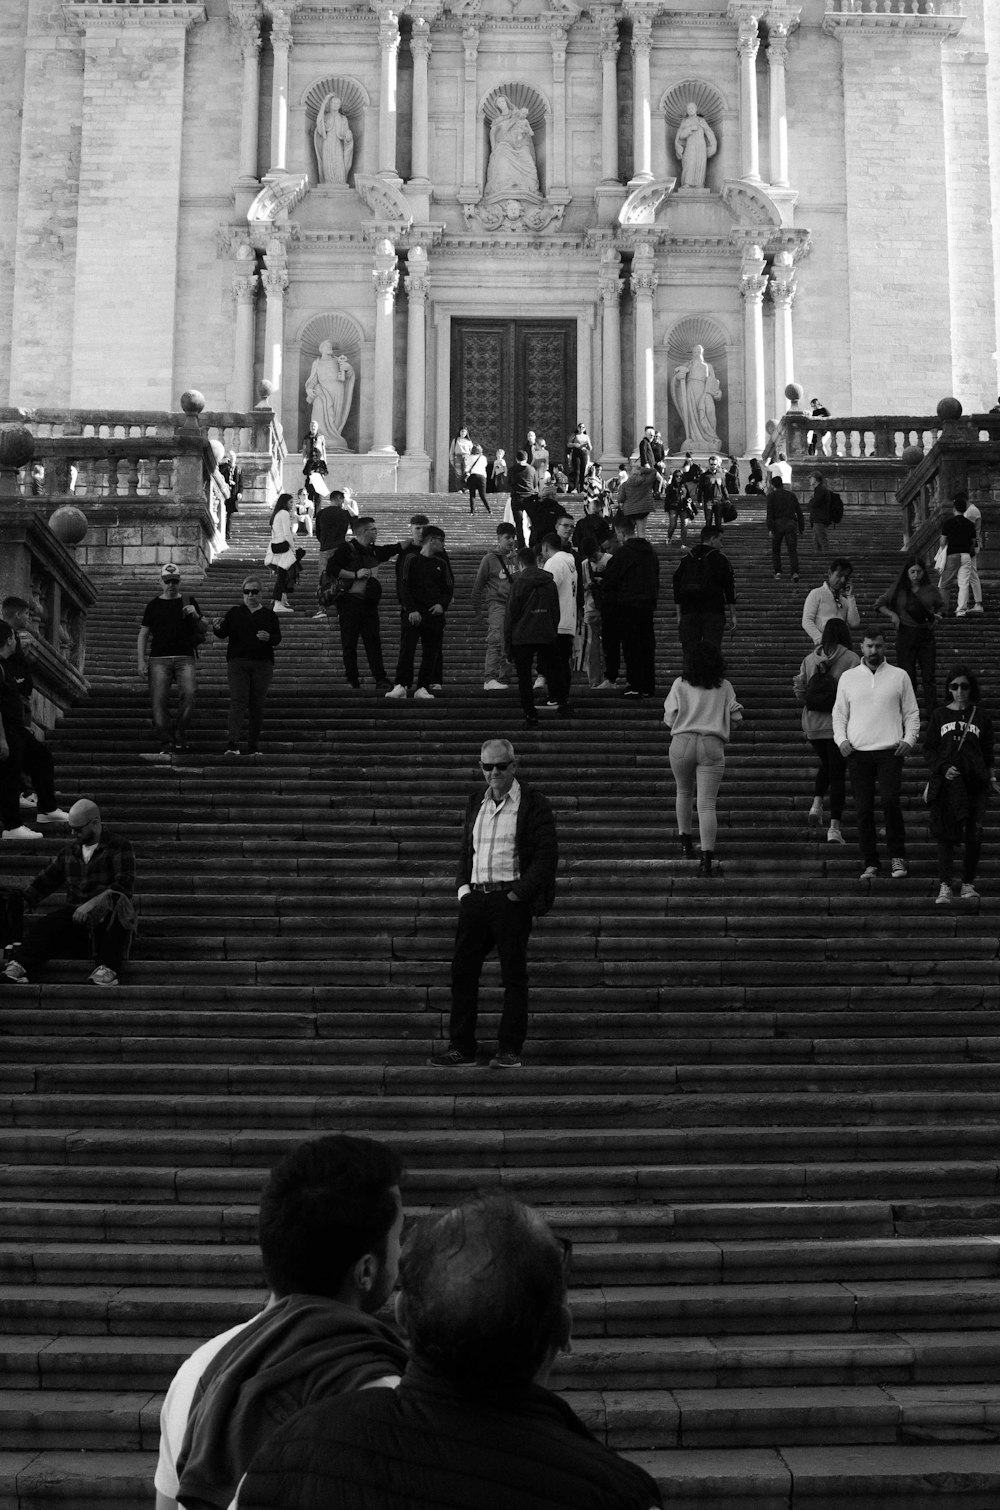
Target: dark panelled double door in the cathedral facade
513	377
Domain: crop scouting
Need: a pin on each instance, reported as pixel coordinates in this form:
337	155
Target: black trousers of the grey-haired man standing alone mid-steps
487	922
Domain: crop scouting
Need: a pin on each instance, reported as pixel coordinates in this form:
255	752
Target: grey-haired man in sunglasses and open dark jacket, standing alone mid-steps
507	878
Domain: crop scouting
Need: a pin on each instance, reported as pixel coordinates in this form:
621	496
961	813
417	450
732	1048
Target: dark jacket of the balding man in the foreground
436	1446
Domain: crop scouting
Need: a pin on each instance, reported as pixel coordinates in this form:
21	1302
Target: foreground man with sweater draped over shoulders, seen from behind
330	1225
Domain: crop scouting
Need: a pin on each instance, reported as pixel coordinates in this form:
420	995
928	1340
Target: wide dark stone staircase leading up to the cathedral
764	1108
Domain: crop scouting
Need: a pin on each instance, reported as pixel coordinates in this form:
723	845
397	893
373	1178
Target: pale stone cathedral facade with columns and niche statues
501	214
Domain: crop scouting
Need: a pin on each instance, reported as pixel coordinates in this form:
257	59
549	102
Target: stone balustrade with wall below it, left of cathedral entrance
149	481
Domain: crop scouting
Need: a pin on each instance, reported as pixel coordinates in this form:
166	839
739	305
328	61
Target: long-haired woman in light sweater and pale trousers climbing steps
700	710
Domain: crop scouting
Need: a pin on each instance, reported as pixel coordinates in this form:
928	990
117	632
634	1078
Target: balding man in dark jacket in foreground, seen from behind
484	1301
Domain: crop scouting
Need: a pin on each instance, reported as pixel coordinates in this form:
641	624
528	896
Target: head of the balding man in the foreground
484	1289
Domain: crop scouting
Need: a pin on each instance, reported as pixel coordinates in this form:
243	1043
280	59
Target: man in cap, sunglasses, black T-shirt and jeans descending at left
167	650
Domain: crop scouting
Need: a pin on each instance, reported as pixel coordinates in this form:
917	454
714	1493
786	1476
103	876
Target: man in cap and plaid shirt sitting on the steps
99	874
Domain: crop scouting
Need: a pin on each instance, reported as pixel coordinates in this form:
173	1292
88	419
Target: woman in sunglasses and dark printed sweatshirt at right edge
958	747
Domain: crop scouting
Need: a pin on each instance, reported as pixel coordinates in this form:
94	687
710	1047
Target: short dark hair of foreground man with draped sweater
326	1206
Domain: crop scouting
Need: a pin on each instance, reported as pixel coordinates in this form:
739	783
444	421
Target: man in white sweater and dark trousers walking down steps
877	724
